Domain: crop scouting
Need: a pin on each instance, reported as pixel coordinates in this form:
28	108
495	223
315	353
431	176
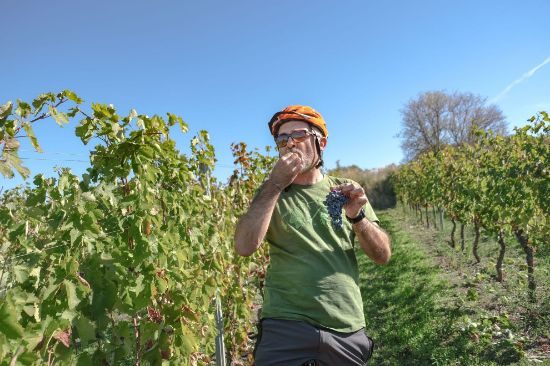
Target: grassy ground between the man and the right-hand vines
433	305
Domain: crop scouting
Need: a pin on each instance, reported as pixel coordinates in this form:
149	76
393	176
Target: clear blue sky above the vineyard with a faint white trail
227	66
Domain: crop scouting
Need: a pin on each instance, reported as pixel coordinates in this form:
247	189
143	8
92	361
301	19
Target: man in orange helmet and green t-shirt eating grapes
312	312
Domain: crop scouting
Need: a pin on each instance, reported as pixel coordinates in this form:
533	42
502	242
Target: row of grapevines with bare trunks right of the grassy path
498	184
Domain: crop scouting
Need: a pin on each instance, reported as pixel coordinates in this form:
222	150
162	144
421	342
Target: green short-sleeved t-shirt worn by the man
312	274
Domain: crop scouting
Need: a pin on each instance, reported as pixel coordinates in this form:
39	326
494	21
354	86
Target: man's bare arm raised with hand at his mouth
253	225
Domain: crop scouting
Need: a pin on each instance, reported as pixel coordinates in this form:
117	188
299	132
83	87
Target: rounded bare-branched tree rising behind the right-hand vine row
435	119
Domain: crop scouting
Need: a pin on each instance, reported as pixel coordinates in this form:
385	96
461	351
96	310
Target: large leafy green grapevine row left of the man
120	266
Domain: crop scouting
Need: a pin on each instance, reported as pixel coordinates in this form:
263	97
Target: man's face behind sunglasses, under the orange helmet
306	149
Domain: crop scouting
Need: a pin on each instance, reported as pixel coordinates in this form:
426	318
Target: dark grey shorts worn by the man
293	343
